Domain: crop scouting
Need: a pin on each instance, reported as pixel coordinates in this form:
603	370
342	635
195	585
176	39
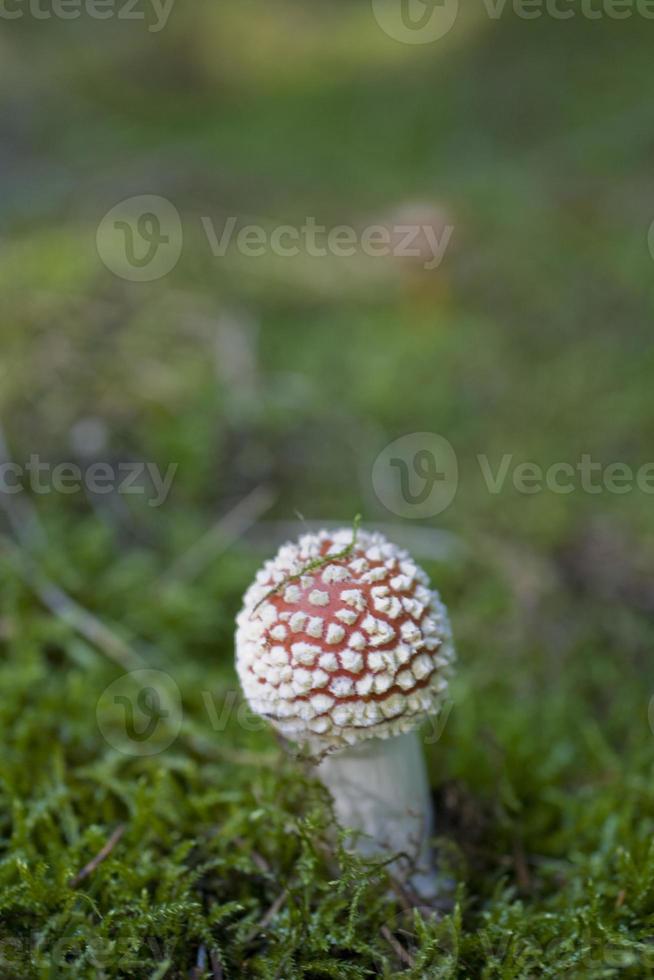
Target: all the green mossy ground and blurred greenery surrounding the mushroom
533	338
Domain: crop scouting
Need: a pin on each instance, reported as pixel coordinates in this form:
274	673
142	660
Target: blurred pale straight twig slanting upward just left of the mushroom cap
227	530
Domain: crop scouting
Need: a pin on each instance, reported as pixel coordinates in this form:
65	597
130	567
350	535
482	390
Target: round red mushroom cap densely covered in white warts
357	648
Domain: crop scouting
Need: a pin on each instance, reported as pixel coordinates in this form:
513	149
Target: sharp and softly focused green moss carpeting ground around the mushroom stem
544	796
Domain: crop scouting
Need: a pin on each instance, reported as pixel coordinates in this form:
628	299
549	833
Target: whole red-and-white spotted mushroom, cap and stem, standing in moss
344	647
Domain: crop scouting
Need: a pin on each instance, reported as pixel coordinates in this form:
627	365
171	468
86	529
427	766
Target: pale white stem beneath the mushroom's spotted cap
380	787
